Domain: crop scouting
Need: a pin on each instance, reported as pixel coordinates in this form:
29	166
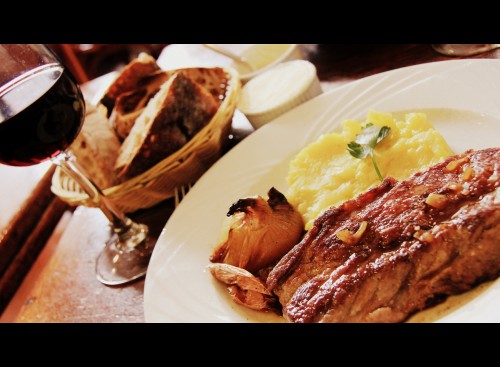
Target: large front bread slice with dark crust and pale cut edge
171	118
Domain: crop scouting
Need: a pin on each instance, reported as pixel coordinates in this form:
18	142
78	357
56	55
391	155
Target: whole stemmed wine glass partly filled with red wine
41	112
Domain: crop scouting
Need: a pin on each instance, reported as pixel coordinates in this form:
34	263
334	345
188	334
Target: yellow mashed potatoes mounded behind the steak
325	174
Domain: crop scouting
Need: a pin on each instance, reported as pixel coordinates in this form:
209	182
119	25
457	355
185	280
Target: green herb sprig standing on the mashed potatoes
365	143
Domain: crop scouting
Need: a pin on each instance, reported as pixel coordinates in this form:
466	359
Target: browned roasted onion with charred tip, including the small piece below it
260	233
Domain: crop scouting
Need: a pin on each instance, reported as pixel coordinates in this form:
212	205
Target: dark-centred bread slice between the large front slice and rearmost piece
129	105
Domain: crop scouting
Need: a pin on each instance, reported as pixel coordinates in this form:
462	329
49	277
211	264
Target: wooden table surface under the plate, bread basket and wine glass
61	285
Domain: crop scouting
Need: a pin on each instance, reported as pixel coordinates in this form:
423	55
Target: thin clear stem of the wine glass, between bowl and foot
119	221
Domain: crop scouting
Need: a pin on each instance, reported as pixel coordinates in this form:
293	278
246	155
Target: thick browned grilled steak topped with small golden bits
399	247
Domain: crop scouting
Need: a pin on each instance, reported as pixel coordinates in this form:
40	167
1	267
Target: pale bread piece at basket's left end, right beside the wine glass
96	146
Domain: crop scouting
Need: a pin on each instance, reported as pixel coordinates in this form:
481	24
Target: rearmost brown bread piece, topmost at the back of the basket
129	78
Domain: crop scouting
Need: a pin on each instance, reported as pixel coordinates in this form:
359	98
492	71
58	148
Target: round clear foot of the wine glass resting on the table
119	263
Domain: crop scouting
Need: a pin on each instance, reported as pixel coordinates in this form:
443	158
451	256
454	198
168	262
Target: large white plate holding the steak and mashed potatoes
462	99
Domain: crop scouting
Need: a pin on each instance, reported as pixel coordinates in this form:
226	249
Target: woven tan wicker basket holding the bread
183	167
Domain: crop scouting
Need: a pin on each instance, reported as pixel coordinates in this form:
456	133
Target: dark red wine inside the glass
41	113
